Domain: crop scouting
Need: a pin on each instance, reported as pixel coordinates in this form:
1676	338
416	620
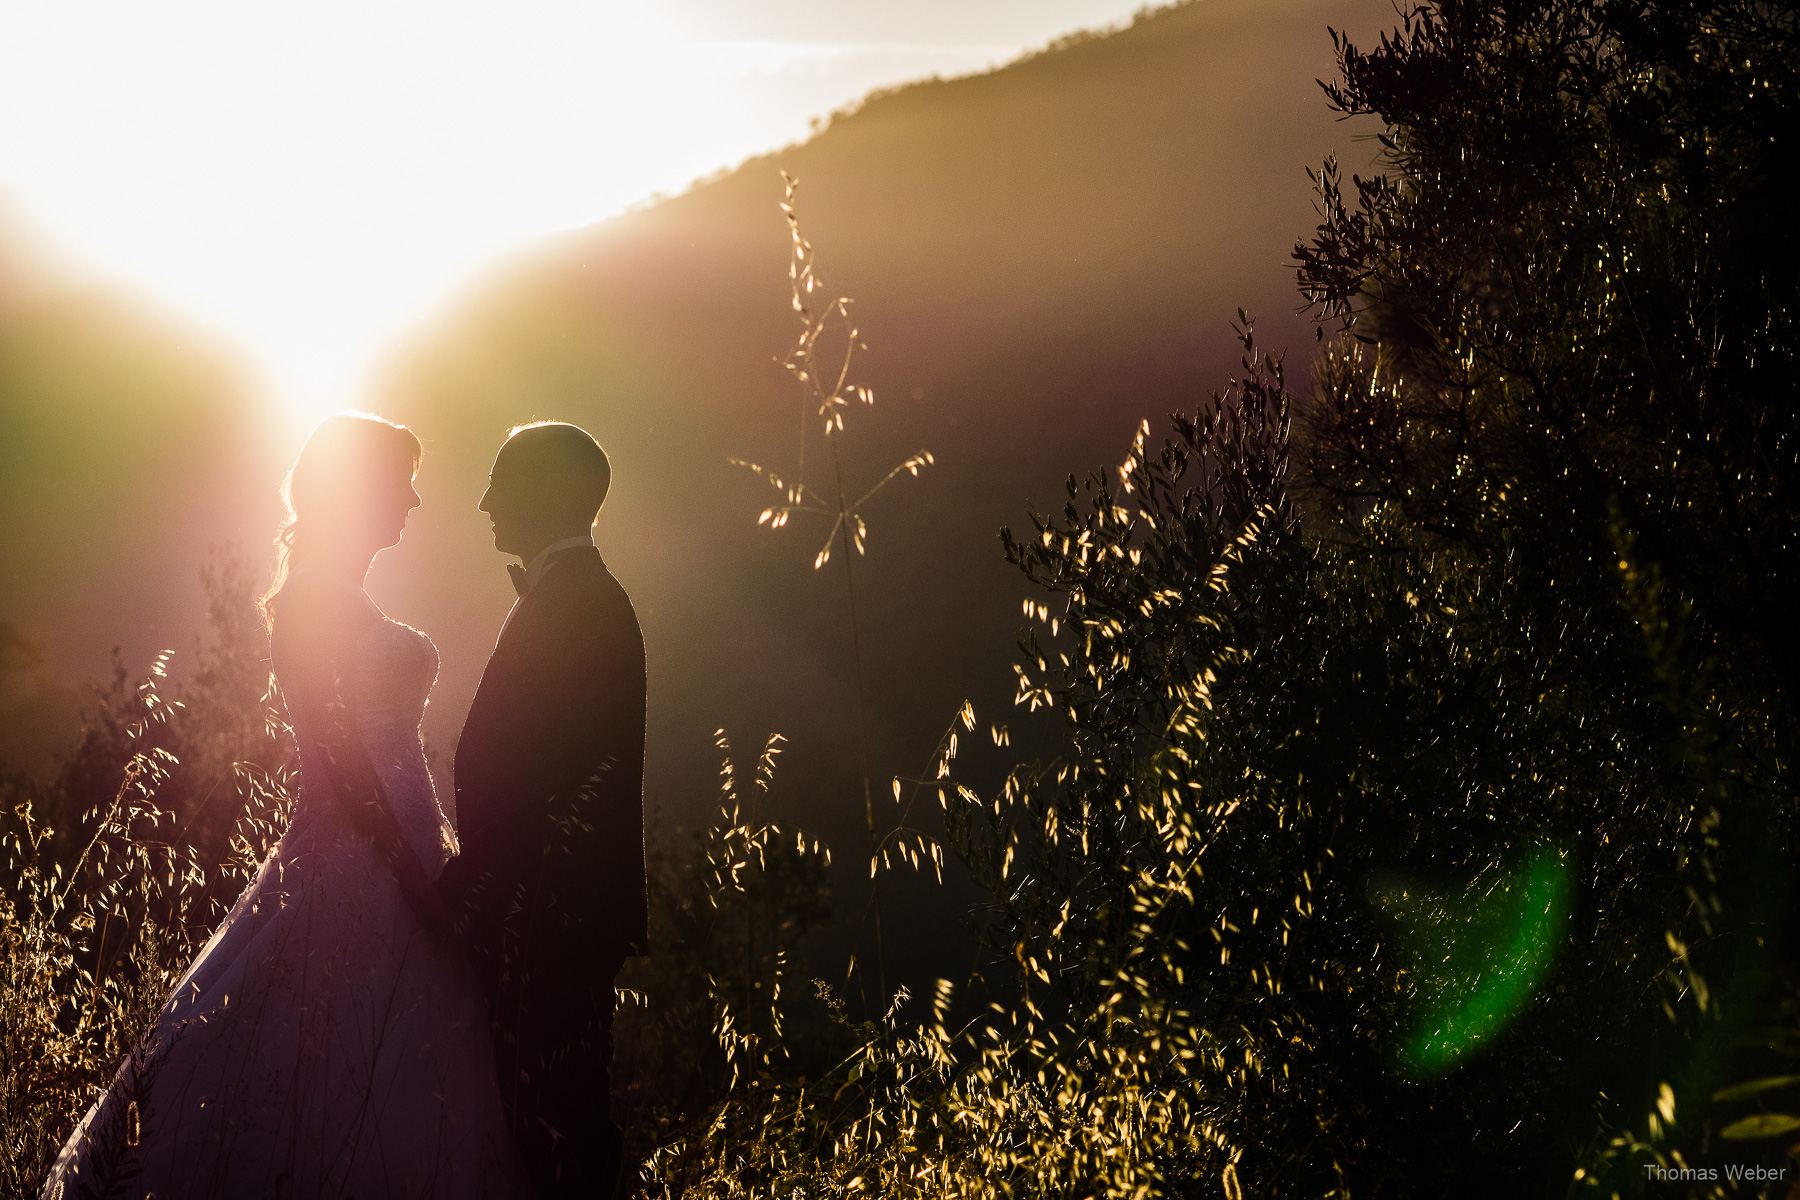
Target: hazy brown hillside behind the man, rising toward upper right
1039	258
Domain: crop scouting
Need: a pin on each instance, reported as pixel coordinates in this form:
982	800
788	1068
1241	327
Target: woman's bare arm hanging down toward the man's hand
310	647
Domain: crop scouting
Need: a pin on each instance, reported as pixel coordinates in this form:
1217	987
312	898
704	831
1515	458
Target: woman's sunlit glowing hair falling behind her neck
343	451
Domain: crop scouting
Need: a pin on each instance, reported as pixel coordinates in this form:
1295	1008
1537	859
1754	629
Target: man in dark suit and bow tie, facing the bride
550	771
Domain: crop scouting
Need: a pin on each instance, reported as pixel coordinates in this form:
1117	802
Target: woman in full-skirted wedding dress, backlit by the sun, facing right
330	1041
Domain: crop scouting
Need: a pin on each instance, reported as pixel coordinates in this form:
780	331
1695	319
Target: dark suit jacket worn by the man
550	780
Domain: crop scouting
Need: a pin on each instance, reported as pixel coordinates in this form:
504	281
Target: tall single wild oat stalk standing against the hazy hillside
827	393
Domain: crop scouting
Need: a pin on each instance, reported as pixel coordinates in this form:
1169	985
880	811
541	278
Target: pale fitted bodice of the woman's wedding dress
388	681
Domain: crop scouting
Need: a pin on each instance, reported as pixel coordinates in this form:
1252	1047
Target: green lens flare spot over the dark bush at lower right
1475	956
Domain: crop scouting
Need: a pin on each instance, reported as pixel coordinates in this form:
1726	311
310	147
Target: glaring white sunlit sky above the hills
310	177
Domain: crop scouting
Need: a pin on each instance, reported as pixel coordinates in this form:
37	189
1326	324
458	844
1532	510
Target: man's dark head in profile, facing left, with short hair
548	483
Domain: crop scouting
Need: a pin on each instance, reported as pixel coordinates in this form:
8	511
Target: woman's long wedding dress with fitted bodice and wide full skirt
325	1043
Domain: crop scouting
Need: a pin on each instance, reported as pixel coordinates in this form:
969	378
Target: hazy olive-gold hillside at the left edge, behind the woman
130	443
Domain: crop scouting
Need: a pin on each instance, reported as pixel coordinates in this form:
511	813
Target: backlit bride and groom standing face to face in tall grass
395	1008
